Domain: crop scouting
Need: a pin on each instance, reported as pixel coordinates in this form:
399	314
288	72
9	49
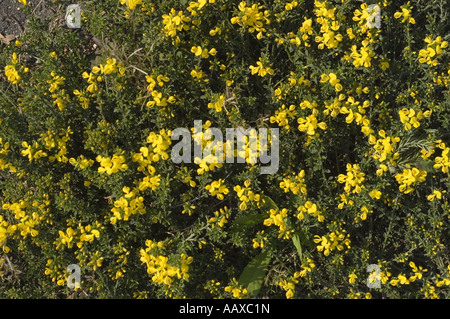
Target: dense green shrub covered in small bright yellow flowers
363	110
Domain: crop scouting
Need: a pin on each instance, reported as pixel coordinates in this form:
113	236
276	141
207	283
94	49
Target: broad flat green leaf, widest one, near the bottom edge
253	274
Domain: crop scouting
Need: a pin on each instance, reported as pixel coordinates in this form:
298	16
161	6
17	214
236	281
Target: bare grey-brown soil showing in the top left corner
13	20
